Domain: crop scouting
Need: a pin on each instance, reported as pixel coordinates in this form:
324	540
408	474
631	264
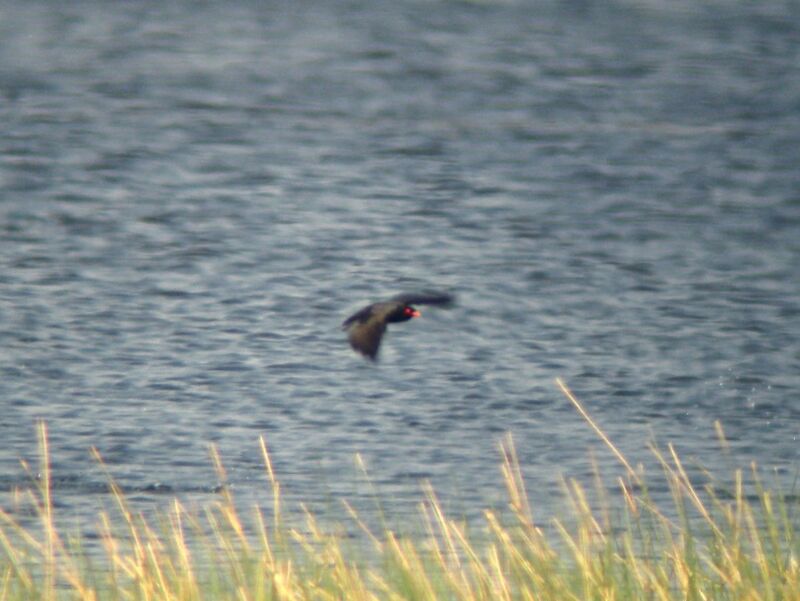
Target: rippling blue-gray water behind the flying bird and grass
194	195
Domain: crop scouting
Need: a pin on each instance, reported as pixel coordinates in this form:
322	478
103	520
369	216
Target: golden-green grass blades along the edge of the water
738	545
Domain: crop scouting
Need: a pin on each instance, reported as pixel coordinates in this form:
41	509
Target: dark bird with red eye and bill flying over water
365	327
